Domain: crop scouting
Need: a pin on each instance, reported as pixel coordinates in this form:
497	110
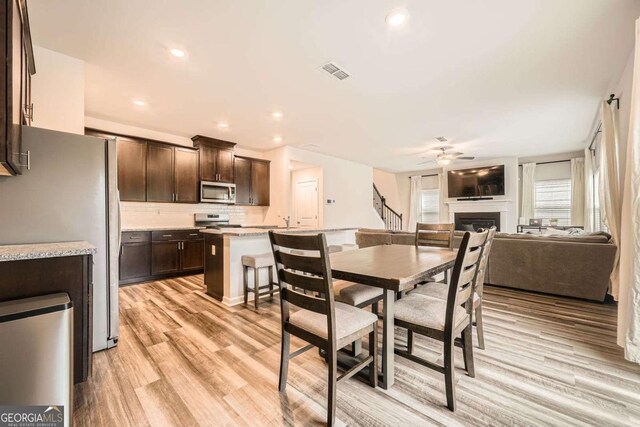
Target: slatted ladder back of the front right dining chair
464	274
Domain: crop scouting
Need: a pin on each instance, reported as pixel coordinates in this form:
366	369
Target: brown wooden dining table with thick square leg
393	268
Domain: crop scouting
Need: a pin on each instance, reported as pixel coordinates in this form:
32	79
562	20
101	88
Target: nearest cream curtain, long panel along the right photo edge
629	290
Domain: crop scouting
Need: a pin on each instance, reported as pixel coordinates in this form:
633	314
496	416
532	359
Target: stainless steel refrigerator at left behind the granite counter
70	193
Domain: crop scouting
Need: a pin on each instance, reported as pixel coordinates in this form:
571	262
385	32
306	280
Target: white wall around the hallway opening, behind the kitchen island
348	183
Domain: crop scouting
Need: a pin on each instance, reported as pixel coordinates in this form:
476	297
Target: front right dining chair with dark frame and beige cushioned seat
444	320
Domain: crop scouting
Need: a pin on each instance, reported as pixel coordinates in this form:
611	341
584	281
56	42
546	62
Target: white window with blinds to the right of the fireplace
553	200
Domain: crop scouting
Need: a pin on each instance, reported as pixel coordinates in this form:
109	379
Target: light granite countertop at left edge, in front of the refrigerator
45	250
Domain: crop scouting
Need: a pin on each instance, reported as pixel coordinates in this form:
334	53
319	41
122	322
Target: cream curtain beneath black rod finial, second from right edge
609	177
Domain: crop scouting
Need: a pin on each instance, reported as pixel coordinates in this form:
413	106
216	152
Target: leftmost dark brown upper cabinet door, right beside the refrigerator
132	169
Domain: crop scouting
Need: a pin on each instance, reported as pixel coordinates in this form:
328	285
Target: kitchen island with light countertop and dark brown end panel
224	249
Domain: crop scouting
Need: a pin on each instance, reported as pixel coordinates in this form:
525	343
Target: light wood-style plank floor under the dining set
185	359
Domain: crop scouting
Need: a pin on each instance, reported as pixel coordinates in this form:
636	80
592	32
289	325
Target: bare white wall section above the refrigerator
57	91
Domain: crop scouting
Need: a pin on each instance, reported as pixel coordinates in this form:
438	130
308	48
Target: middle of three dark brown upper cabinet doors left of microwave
159	182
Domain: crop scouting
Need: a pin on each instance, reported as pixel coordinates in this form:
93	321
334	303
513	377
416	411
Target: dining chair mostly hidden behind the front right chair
440	290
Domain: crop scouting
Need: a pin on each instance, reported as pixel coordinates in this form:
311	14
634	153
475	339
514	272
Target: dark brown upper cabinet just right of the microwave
252	181
